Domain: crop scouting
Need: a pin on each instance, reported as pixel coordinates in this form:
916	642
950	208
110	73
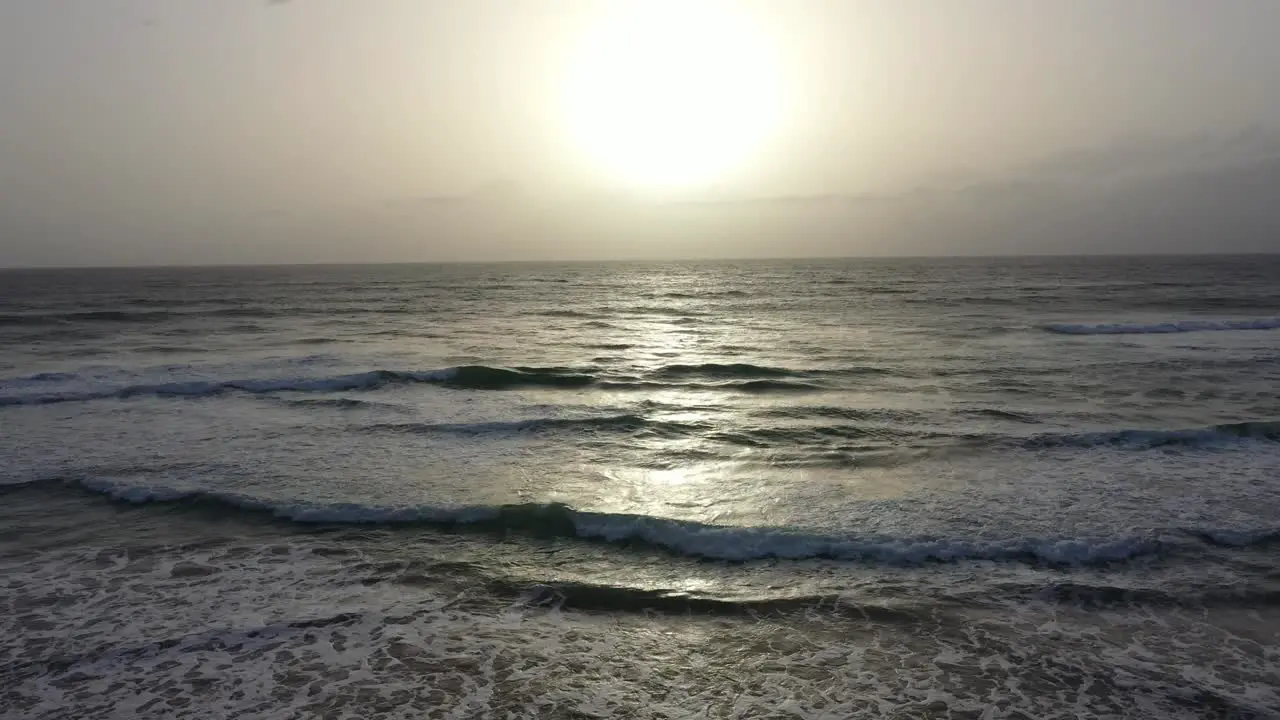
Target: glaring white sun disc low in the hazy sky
668	94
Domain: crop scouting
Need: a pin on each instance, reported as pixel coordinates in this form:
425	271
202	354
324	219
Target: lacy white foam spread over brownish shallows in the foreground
280	631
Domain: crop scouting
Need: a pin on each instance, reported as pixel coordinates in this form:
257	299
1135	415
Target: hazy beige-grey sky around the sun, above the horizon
240	131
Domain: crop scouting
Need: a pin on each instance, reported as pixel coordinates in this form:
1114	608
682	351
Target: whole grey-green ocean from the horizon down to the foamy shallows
793	489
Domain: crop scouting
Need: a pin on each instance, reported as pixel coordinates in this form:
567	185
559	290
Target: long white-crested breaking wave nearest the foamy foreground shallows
705	541
